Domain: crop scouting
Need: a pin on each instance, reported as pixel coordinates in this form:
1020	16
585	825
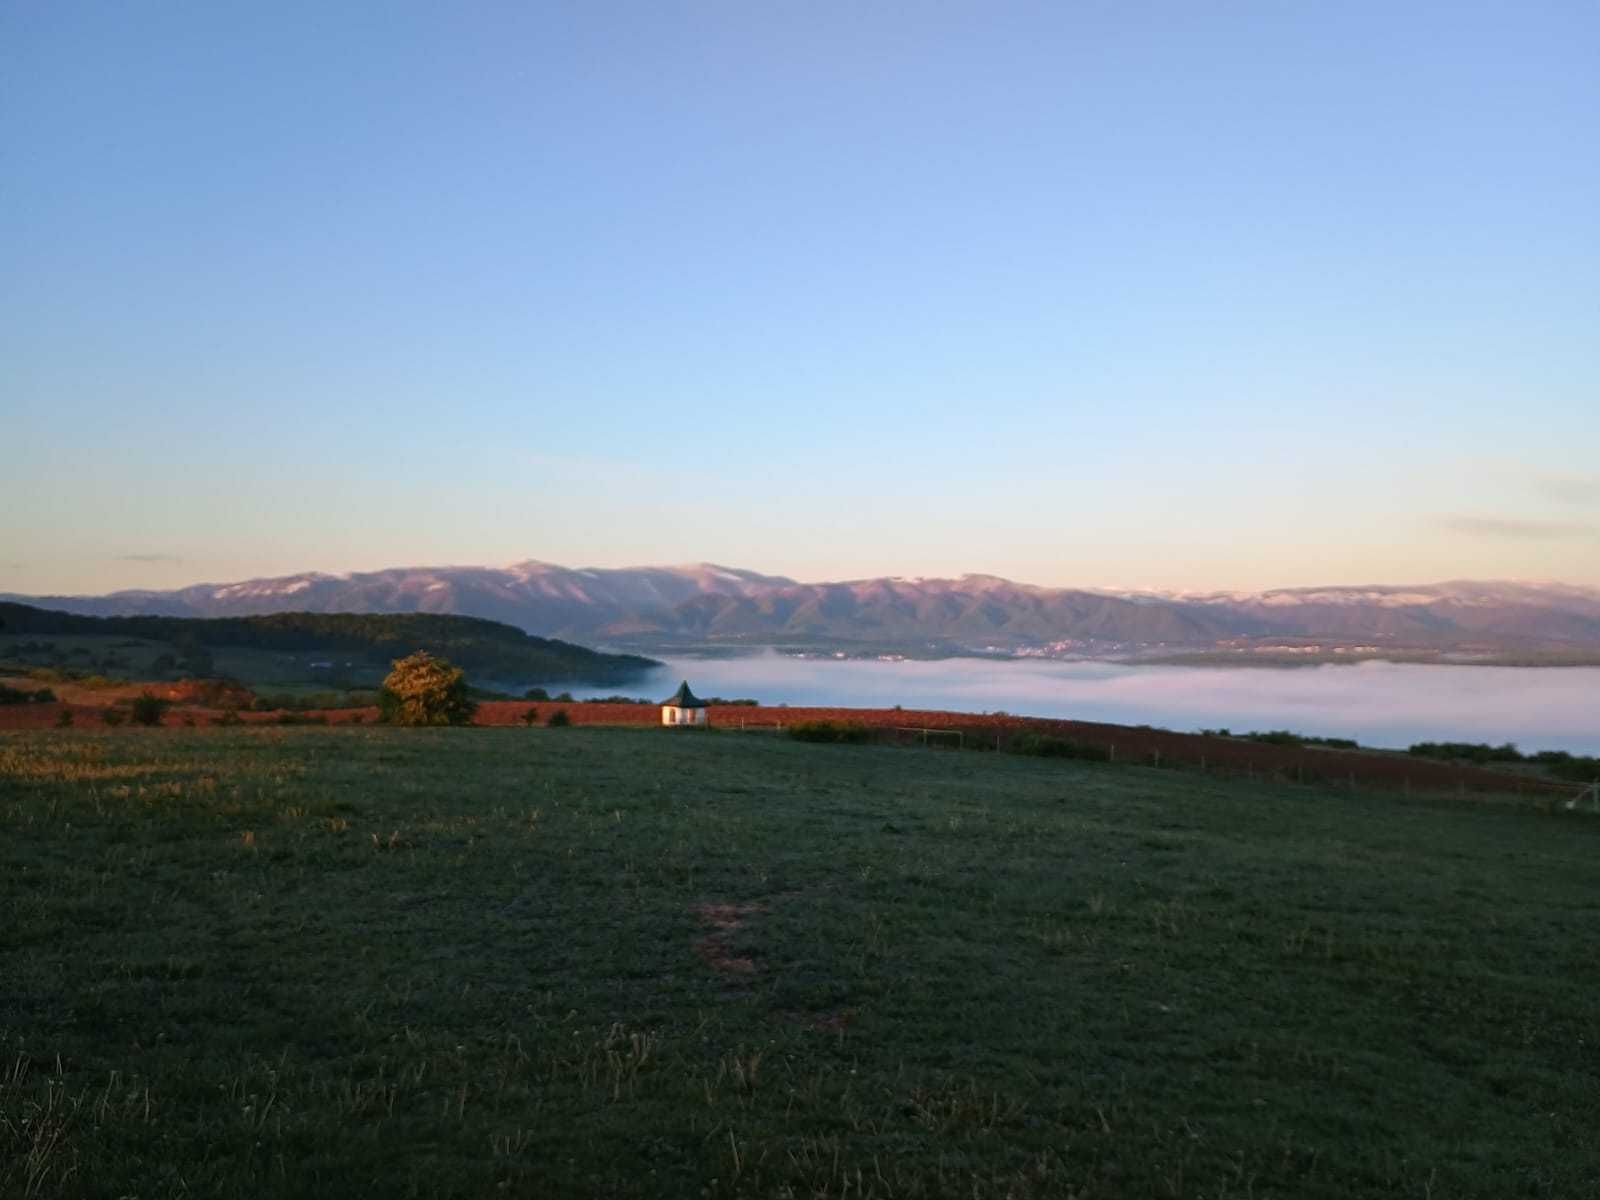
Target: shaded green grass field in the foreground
631	962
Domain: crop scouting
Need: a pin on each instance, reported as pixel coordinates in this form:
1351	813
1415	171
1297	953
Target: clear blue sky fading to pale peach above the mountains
1148	295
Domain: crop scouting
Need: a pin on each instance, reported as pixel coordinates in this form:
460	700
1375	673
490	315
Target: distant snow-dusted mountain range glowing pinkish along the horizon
705	606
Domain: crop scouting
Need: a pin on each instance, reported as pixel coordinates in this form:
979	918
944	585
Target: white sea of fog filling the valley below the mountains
1388	705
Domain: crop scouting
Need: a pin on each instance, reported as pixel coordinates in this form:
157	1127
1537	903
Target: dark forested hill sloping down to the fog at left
484	649
